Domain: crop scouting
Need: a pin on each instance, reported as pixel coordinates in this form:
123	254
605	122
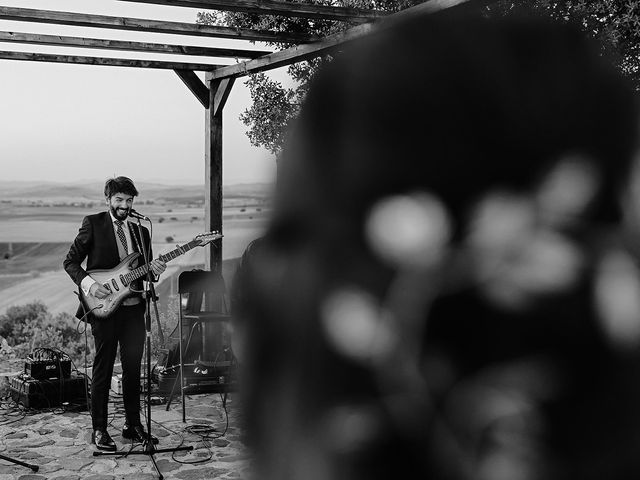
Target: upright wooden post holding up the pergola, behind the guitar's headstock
218	93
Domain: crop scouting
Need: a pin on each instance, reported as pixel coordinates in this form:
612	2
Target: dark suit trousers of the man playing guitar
126	328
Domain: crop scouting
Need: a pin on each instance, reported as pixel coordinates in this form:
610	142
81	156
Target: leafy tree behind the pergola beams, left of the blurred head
274	105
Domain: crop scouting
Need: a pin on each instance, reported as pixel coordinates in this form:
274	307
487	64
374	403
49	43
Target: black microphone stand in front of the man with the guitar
150	296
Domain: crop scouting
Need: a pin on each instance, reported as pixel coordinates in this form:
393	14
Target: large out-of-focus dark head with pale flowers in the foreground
456	300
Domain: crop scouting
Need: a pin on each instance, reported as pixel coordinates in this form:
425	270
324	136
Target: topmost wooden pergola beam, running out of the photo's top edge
274	7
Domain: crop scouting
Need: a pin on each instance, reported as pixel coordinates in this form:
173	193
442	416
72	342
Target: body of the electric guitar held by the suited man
113	280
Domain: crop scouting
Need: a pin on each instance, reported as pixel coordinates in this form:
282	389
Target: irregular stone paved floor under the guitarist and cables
58	444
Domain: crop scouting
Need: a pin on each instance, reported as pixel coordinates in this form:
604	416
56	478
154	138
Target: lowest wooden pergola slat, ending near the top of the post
113	62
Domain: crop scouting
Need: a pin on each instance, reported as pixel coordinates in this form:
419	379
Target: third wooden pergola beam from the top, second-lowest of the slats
38	39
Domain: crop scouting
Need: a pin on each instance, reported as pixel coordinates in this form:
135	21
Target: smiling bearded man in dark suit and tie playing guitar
104	239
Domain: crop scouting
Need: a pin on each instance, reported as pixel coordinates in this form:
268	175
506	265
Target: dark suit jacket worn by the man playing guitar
96	241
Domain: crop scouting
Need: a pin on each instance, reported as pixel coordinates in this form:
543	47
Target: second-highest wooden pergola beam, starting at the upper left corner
144	25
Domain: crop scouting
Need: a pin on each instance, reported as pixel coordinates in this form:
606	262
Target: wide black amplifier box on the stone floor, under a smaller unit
33	393
